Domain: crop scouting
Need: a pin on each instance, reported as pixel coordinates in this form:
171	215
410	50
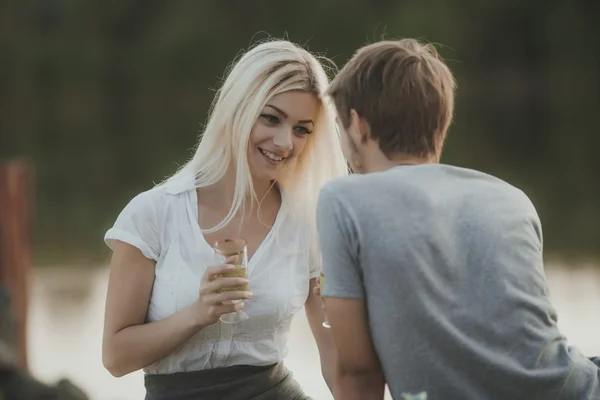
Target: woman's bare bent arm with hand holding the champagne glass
128	343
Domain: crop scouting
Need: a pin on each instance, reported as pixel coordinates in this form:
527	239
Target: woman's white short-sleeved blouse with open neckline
163	223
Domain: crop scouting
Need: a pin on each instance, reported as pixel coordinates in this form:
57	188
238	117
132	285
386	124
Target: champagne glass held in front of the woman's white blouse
236	250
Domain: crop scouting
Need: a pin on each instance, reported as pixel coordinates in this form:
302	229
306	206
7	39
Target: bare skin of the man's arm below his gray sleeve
358	373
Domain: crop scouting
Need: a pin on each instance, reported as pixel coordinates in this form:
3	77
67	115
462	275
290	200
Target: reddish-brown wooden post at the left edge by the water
16	200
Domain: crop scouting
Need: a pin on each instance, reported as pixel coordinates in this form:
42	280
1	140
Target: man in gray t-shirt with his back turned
434	274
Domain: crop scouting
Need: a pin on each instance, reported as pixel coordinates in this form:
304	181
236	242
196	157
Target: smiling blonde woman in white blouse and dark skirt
268	147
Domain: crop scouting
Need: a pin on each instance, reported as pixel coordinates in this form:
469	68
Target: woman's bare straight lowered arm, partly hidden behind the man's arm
325	344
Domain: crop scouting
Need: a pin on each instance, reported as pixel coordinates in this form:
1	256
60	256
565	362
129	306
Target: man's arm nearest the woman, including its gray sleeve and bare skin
357	374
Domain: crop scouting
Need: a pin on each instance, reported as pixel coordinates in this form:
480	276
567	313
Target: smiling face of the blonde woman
281	131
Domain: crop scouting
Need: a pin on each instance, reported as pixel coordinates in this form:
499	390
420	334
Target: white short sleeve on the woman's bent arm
138	225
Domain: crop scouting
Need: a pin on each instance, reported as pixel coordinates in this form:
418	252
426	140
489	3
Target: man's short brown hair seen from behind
405	92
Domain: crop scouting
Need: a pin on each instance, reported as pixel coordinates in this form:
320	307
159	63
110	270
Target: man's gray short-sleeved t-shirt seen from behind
449	262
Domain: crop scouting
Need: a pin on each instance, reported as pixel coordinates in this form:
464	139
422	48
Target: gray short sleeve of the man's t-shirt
339	245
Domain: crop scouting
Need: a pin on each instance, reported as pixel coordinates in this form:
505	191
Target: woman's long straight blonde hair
267	69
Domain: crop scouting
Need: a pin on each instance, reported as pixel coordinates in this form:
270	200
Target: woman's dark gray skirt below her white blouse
273	382
